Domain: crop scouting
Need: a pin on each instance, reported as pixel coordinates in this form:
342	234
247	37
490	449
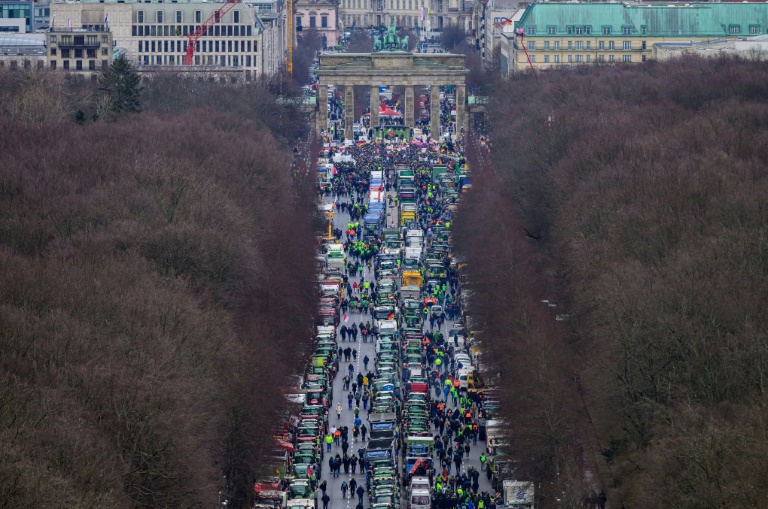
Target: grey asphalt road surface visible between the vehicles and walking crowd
347	416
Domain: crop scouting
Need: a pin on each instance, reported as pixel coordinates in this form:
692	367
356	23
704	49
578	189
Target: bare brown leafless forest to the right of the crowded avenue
634	199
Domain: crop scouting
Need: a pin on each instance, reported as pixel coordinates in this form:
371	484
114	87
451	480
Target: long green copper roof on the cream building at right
696	19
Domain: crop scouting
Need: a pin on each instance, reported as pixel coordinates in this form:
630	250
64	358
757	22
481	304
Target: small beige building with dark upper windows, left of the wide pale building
78	50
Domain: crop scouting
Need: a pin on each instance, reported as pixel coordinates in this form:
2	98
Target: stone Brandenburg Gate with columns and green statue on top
391	63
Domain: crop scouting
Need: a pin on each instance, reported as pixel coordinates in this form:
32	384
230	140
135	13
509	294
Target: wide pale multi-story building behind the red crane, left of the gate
155	32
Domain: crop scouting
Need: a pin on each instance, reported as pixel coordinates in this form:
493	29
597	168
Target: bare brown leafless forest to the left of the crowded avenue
157	273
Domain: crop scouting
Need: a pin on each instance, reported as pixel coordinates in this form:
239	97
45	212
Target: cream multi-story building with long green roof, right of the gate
558	34
